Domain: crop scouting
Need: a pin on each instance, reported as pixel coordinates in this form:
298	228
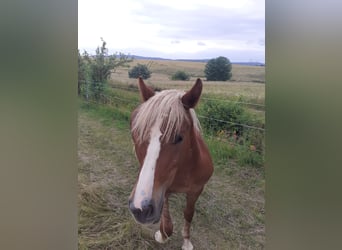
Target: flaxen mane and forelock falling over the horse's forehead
165	107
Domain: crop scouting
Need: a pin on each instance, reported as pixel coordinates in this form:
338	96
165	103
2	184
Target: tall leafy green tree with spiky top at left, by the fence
100	66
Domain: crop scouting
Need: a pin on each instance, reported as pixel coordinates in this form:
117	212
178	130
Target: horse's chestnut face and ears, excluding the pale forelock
160	156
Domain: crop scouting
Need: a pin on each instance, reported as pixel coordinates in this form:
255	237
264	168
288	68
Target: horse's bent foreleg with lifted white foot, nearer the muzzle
166	226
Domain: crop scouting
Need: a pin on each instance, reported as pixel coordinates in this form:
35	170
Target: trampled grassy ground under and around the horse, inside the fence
229	214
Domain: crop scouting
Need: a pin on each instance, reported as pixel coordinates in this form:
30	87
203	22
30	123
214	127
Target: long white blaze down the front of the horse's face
144	187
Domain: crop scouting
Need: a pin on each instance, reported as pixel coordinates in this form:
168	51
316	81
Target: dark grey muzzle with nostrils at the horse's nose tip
148	214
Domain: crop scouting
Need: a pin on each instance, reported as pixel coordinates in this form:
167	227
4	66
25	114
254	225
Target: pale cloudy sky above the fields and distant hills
177	29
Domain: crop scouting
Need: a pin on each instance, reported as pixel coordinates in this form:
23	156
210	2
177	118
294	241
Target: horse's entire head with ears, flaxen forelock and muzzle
163	128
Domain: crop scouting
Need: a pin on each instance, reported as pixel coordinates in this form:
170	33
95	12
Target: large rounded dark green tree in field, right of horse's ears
218	69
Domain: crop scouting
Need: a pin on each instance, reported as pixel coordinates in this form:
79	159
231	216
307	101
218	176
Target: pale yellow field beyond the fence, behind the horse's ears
246	80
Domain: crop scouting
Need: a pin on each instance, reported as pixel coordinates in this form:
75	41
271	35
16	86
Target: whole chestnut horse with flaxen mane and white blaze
172	155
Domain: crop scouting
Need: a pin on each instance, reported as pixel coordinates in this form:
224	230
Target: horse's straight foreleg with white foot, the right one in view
188	214
